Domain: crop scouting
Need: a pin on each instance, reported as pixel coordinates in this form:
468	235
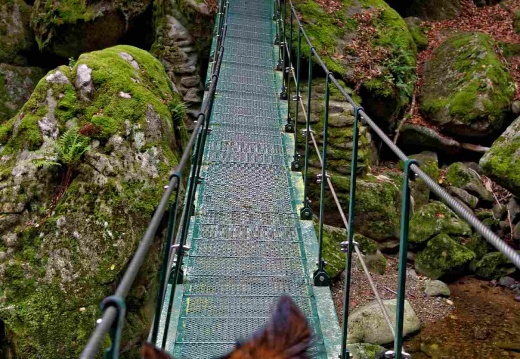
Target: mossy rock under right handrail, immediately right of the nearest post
433	219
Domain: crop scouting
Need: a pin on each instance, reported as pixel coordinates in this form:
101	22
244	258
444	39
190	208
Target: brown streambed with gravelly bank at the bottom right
479	320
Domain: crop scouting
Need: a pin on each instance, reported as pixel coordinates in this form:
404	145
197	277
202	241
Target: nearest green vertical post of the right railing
403	244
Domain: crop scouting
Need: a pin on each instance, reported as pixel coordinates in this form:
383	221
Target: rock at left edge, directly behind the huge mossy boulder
16	86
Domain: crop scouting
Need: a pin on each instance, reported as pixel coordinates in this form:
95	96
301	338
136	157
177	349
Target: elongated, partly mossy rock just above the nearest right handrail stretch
461	176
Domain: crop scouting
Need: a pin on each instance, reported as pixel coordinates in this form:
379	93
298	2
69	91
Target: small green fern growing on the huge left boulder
71	146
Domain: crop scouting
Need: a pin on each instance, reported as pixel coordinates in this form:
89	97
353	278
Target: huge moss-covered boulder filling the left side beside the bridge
72	228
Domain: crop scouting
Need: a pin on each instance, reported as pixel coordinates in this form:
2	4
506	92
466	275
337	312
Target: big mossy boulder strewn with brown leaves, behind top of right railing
381	60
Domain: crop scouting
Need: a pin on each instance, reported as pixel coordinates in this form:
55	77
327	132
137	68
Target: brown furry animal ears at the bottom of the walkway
285	336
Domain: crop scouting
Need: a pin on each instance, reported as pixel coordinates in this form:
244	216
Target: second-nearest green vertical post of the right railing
350	232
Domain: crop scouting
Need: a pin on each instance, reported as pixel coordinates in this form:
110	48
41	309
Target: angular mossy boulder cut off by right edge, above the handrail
502	161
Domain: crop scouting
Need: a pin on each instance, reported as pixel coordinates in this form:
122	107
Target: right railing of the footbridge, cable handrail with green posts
411	170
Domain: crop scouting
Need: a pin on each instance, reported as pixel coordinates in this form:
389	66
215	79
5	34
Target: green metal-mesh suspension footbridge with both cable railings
245	235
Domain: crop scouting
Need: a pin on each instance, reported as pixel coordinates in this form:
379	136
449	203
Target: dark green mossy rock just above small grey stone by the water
442	256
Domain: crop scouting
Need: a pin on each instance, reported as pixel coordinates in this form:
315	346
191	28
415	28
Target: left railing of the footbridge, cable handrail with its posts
113	307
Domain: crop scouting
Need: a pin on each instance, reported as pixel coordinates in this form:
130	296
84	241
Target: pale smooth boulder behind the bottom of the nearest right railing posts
367	324
